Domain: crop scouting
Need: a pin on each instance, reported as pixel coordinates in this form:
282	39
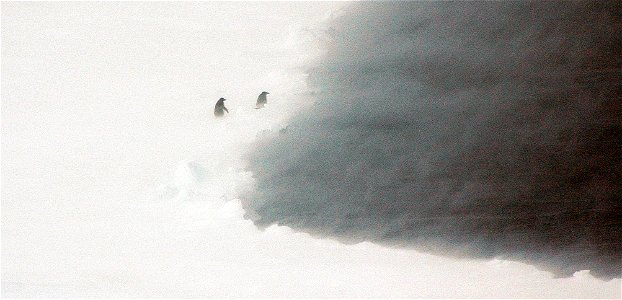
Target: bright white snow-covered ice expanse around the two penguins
117	181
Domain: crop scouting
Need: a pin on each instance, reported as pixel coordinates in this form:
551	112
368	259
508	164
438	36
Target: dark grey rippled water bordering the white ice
471	129
